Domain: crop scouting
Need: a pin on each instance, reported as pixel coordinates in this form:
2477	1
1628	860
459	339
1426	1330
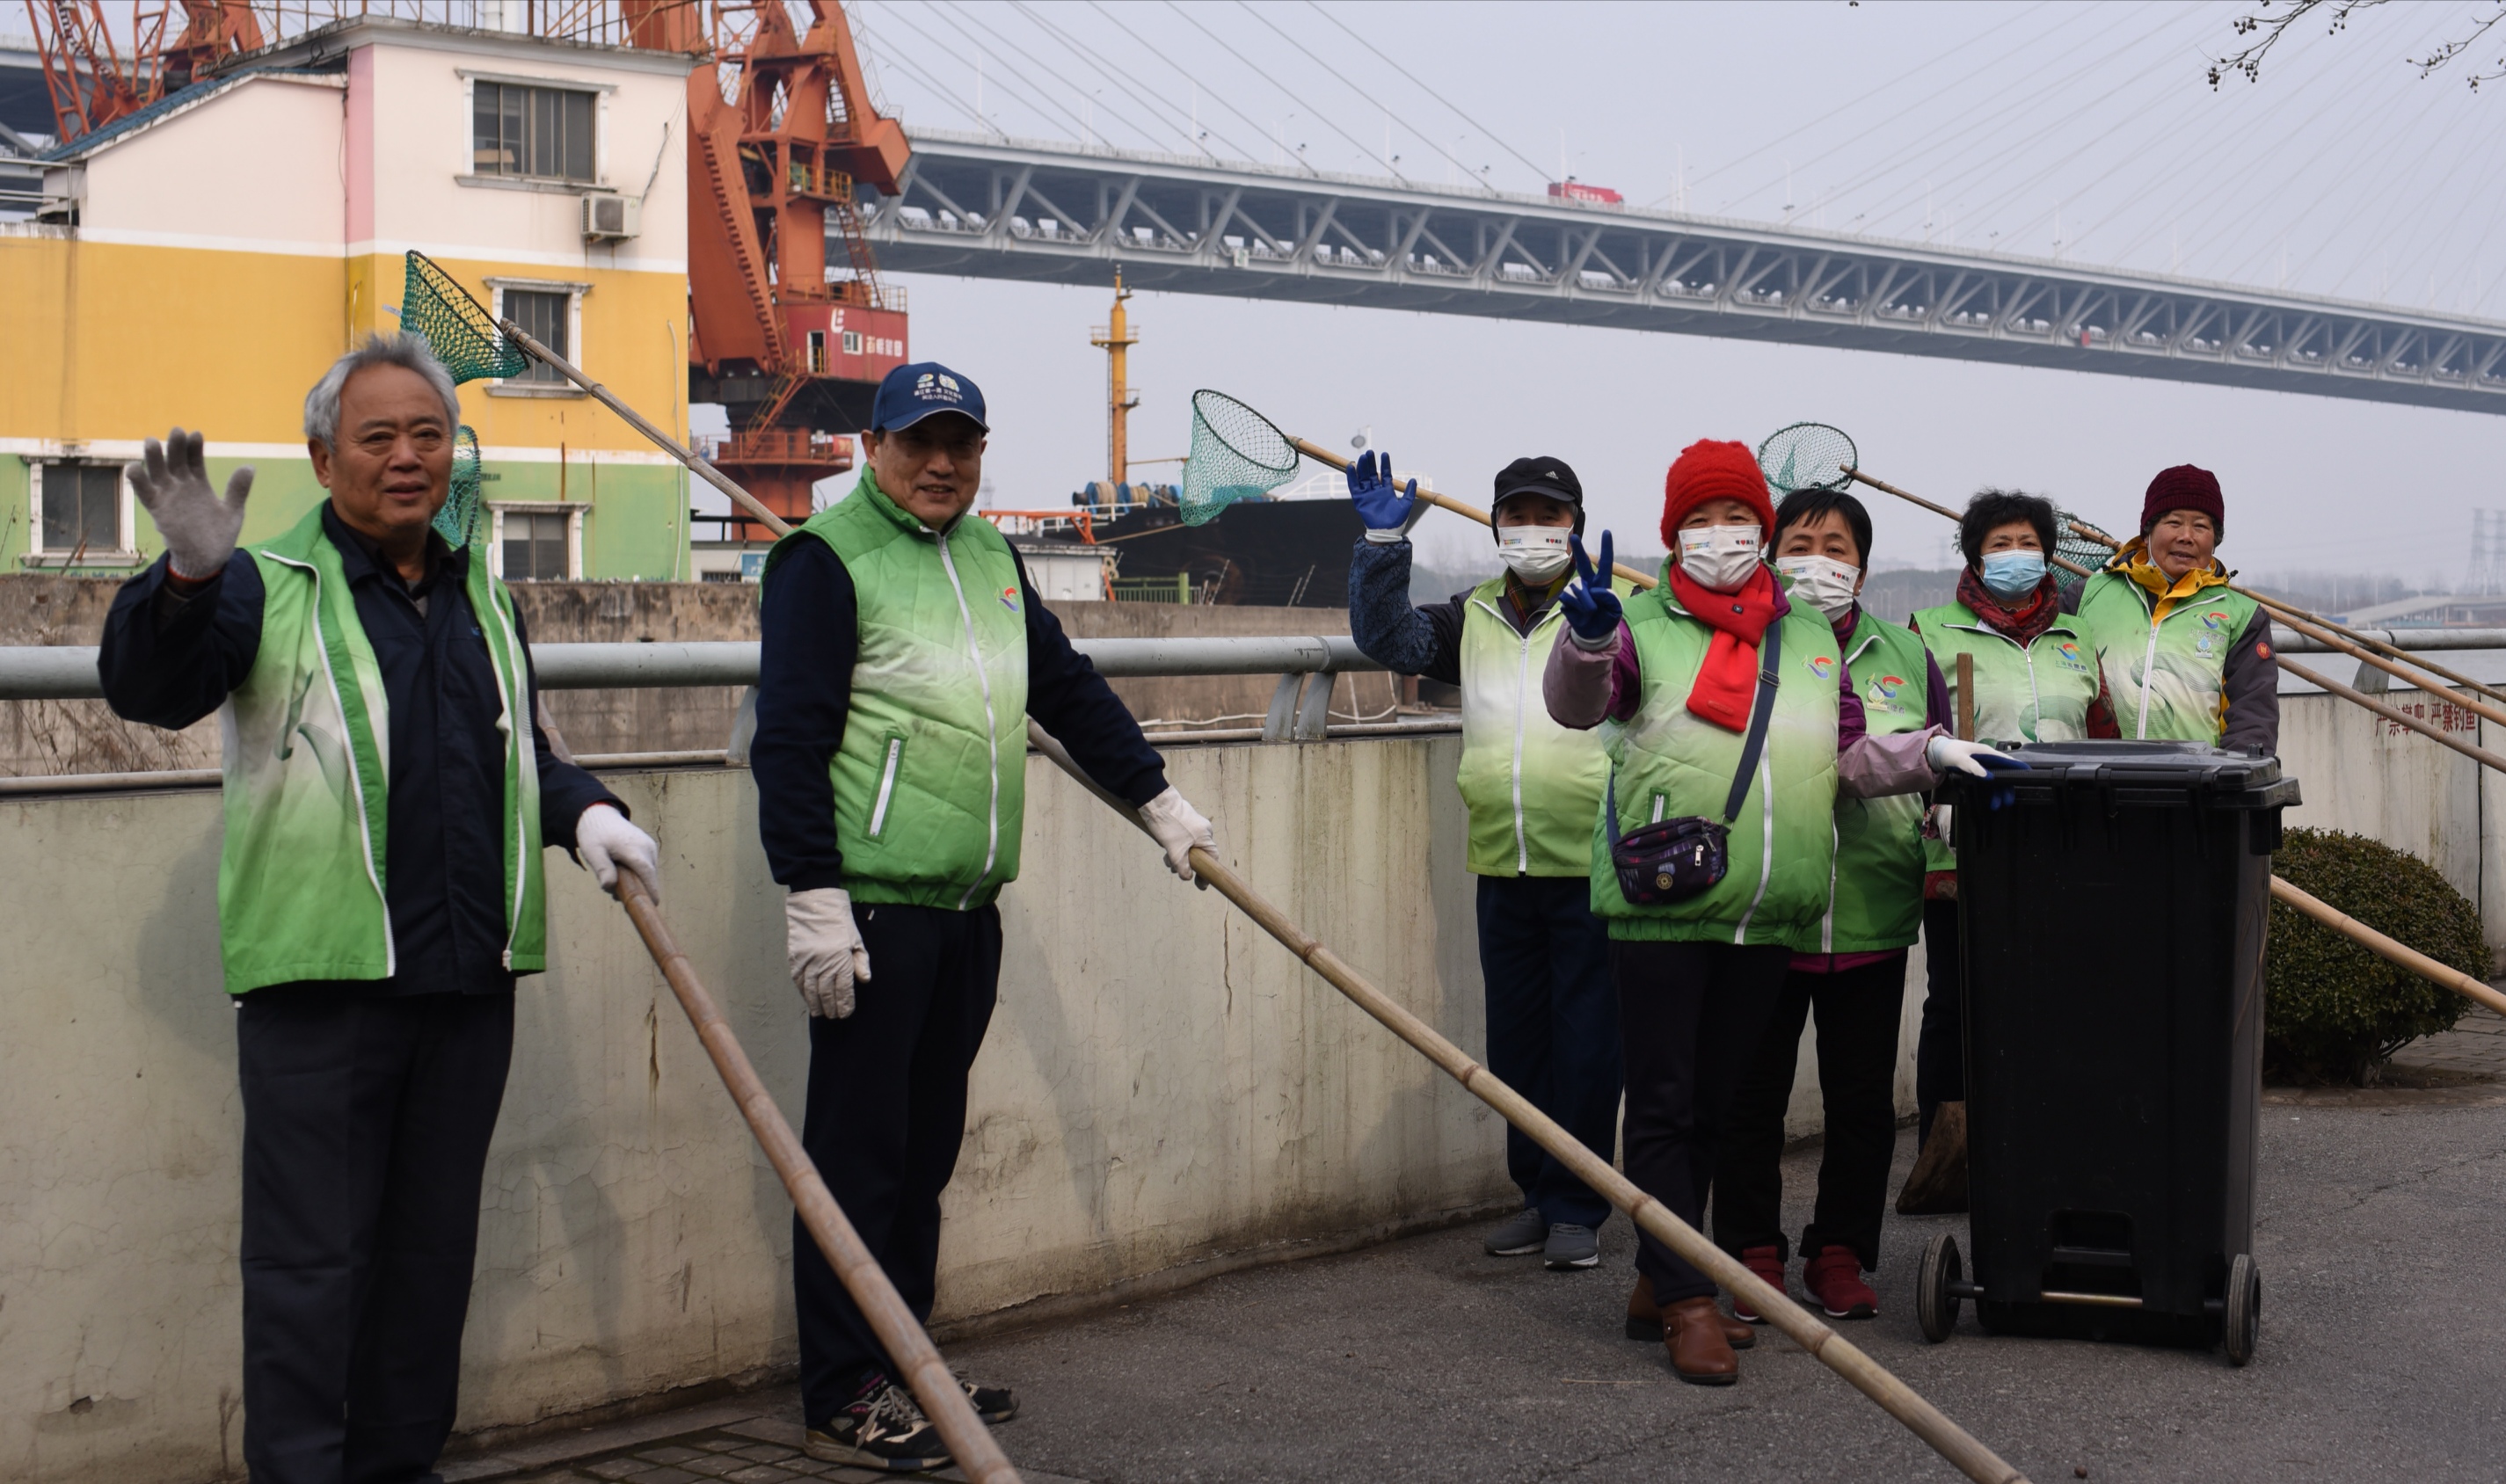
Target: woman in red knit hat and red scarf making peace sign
1733	728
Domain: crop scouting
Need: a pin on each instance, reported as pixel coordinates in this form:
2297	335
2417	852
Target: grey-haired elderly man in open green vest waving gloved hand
387	803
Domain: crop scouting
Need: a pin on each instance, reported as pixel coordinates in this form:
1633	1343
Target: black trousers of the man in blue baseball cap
883	1124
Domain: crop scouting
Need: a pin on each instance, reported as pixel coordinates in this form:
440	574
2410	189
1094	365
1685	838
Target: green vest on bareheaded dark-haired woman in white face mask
1876	896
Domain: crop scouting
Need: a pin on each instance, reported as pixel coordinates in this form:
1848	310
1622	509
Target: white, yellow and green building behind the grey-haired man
207	259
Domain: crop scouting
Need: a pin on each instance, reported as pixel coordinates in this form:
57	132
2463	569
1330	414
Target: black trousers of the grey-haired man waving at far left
365	1142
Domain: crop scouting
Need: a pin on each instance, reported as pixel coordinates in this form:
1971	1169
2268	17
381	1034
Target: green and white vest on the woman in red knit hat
1673	763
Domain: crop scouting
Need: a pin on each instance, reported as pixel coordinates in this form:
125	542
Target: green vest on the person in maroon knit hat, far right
2166	678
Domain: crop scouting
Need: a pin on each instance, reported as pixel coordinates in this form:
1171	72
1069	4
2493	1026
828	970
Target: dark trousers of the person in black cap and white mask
1552	1029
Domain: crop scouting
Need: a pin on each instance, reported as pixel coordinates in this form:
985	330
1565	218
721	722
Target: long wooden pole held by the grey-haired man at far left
969	1440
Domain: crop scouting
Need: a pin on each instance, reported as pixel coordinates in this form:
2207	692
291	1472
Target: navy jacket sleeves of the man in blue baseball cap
811	628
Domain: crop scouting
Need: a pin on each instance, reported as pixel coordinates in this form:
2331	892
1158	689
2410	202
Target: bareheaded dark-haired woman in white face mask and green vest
1853	976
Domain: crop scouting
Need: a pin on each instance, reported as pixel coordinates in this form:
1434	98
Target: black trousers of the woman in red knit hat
1690	1016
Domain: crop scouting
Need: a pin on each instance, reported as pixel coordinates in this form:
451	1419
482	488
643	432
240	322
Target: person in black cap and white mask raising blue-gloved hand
1532	791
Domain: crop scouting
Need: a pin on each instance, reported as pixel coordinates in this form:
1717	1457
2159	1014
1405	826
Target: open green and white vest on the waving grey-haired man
307	768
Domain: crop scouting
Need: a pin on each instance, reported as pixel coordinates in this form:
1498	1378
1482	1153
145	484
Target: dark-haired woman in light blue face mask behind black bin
2034	681
